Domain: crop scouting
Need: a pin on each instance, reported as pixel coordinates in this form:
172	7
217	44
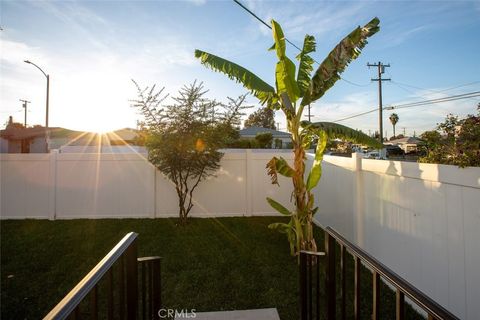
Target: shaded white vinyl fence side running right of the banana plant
421	220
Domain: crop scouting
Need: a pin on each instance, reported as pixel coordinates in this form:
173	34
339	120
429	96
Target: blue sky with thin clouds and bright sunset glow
93	49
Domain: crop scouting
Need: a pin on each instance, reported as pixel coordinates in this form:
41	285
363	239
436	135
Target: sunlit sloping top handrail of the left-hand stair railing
68	304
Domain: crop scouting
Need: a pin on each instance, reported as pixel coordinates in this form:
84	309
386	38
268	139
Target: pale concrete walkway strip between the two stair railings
256	314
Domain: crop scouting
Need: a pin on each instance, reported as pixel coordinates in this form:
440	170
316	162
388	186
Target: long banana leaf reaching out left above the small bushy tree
259	88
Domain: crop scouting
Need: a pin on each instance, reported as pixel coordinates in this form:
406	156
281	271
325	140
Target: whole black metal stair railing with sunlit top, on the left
110	289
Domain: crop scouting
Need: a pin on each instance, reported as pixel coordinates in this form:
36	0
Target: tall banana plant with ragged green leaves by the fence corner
294	91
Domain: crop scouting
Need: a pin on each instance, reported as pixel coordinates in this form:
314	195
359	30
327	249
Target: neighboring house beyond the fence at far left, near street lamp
16	139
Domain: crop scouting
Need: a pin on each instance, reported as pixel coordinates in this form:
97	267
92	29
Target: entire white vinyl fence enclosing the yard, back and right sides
421	220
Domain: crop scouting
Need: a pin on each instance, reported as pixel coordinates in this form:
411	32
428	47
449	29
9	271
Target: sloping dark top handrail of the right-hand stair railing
420	298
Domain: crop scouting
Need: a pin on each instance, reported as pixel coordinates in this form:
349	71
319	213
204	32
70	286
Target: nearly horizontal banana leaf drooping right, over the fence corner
335	130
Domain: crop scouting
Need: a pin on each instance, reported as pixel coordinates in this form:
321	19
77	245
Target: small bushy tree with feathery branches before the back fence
183	138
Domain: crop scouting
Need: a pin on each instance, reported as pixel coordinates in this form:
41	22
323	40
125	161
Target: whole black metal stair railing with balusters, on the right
310	278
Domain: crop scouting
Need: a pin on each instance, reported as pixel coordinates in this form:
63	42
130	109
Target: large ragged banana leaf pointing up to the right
335	63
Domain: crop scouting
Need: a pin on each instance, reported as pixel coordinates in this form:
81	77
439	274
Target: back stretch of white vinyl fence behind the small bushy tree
69	186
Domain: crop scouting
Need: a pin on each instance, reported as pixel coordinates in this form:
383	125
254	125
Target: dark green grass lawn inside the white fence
209	265
